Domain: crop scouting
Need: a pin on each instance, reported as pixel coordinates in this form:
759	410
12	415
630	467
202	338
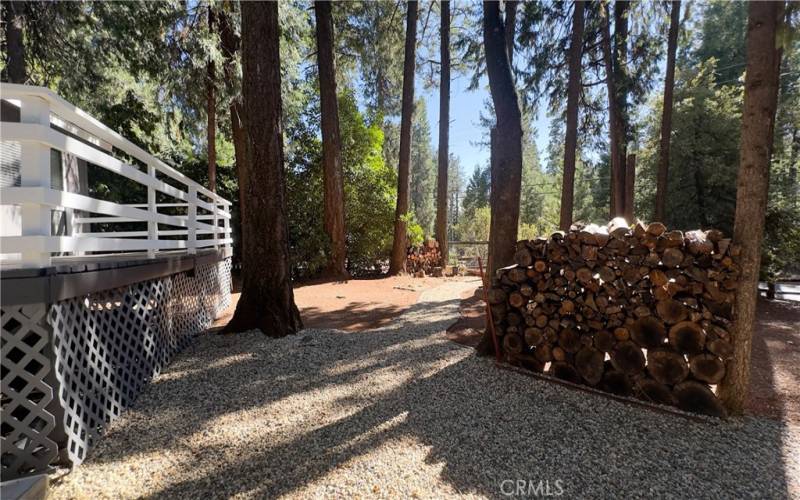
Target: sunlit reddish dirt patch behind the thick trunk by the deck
358	304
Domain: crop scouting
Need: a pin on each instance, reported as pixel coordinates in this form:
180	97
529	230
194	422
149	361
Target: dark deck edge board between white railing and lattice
52	284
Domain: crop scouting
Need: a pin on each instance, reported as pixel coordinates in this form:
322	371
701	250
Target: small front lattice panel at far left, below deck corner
26	421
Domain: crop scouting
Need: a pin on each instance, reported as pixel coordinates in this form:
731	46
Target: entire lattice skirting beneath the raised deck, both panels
70	368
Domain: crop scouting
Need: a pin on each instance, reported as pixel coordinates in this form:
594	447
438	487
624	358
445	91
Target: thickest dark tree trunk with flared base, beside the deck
267	300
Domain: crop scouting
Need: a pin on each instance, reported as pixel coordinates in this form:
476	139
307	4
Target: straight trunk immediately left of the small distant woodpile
397	263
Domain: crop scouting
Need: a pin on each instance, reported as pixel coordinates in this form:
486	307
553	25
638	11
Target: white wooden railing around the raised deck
193	212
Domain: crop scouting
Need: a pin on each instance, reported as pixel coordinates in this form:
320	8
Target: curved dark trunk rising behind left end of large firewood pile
507	148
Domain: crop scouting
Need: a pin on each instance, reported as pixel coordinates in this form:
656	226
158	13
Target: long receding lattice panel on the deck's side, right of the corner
110	345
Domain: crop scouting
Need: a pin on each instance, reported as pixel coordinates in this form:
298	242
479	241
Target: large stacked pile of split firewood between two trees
636	312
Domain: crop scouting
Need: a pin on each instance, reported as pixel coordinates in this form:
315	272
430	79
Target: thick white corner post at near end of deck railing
35	172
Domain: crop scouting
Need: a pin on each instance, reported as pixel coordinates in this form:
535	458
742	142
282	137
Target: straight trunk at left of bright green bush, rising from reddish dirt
331	144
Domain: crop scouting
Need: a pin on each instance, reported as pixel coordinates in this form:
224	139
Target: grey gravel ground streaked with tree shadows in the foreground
401	411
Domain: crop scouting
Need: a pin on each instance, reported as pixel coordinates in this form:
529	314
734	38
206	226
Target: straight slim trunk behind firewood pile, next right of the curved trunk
573	95
